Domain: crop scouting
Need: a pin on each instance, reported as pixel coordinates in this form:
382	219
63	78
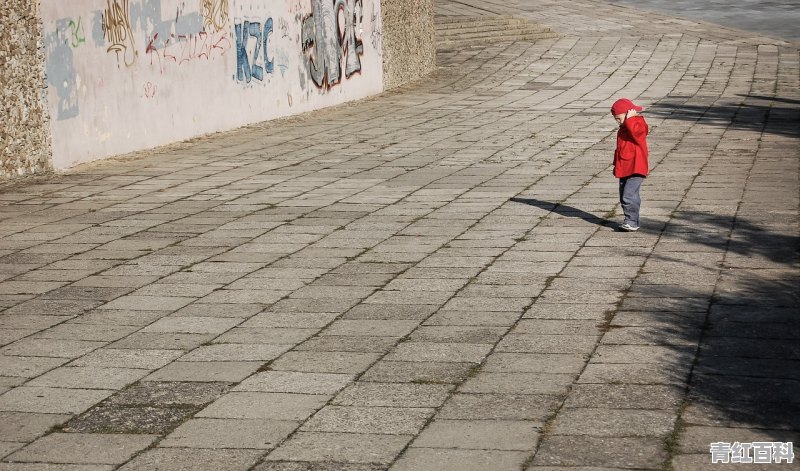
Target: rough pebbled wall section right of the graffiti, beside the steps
409	51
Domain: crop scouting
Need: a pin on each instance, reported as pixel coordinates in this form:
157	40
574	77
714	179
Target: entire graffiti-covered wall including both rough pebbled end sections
95	78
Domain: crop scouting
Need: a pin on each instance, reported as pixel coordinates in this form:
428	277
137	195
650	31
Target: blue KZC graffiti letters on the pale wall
252	57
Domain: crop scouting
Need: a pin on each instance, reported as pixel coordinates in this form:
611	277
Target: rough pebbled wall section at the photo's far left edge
24	130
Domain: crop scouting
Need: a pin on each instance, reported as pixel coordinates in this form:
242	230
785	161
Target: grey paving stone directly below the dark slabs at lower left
80	448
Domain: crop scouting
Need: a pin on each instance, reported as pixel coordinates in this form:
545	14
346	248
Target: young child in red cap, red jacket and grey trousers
630	159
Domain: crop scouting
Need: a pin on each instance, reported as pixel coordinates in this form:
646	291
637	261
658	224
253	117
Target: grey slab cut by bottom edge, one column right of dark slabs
188	459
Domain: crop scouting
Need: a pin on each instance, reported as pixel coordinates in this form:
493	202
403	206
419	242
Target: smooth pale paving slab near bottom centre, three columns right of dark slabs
505	435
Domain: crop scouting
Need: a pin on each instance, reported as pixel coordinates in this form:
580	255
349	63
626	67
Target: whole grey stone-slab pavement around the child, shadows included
430	279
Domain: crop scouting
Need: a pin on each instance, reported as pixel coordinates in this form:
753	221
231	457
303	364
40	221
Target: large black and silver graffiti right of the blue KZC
329	42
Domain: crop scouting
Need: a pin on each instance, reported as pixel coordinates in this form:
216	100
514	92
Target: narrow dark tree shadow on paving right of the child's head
780	116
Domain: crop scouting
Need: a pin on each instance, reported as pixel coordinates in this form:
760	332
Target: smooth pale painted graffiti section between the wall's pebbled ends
124	75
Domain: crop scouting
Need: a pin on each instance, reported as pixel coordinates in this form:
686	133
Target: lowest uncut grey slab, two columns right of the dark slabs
344	447
